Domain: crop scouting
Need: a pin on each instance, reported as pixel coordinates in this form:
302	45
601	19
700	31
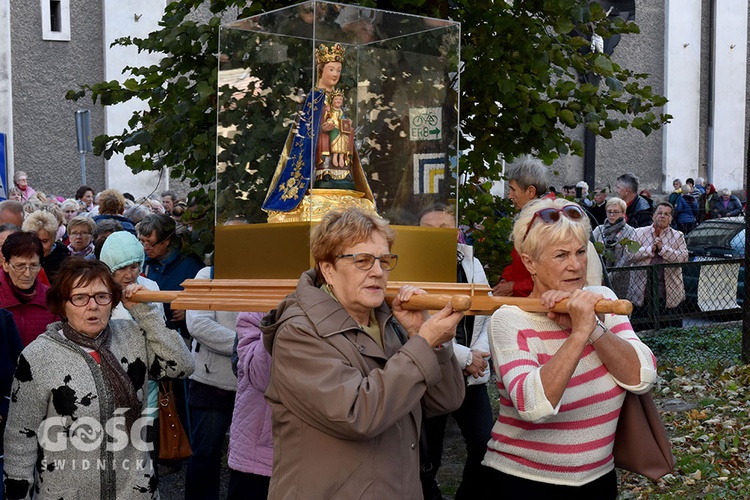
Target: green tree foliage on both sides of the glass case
529	79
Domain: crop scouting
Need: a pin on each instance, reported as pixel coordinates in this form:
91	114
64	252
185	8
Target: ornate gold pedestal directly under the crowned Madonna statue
318	202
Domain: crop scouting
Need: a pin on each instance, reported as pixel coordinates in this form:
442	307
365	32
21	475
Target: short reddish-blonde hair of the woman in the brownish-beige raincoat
341	228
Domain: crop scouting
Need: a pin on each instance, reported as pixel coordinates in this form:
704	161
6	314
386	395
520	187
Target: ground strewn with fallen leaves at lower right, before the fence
702	392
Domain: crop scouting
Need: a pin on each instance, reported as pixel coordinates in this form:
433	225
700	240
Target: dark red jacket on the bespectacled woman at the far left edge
32	317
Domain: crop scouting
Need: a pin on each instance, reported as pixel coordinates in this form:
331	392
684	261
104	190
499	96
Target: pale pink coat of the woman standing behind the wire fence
673	249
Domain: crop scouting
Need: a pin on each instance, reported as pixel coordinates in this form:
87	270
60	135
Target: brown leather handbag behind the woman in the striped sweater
641	442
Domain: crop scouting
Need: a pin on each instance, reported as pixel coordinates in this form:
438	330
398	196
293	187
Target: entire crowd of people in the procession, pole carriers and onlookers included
335	393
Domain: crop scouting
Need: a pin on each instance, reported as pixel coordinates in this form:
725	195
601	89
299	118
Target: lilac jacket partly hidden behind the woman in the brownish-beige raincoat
250	437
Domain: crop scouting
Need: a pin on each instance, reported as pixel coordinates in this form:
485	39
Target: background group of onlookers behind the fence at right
635	230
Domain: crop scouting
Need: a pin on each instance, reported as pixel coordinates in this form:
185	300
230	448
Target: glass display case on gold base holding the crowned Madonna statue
324	105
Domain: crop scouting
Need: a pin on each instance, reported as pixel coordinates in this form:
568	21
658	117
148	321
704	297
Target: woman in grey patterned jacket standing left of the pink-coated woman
615	234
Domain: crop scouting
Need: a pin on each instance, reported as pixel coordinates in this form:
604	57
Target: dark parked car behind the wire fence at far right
715	287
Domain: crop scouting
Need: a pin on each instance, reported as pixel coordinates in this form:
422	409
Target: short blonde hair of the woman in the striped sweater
540	234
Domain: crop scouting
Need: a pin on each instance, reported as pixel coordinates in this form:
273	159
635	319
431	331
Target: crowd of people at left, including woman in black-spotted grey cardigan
76	349
